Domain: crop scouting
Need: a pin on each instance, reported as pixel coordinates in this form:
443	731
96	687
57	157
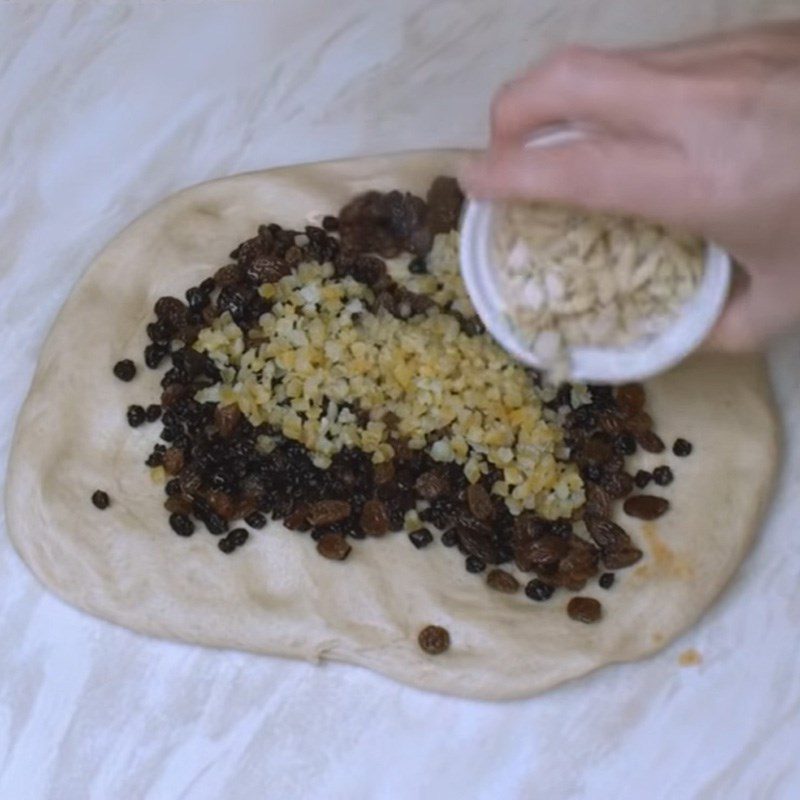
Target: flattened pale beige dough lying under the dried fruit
277	595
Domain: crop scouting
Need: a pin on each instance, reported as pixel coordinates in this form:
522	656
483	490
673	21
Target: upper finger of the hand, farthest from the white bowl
585	86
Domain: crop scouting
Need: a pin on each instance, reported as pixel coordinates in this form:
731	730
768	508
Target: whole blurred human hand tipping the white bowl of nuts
703	135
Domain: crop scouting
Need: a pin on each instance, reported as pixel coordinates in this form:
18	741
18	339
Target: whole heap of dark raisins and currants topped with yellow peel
337	378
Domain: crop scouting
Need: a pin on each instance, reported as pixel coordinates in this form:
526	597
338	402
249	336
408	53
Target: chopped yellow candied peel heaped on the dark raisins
321	355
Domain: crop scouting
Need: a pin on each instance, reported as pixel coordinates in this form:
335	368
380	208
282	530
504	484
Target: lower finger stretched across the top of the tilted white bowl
623	175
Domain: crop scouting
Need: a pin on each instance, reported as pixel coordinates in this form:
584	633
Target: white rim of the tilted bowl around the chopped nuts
637	361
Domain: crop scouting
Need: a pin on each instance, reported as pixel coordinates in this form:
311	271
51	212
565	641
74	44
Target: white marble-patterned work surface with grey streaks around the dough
104	109
